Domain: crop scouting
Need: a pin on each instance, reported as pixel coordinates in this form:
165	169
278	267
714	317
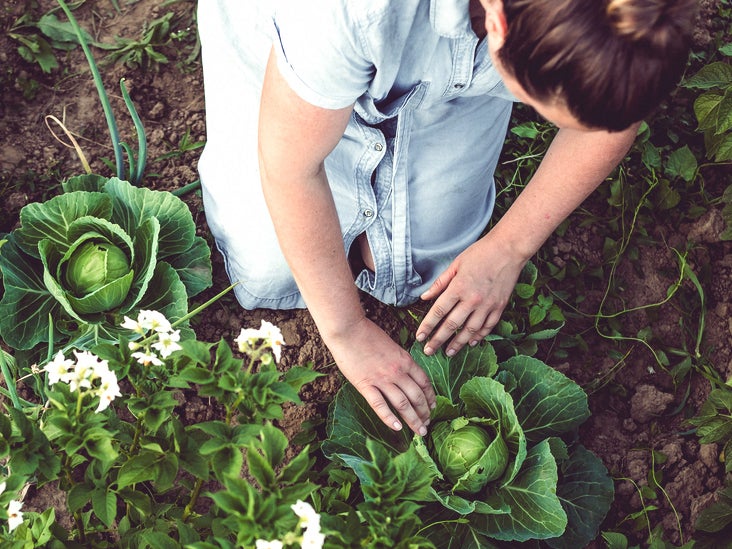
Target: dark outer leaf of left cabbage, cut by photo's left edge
26	304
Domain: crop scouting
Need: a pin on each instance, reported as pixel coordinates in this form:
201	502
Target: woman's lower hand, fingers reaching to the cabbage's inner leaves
386	376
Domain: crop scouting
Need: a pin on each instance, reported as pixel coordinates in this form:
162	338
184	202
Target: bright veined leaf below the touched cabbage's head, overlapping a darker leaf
536	512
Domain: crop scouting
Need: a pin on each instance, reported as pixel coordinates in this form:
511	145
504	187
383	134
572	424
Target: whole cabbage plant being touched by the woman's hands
498	452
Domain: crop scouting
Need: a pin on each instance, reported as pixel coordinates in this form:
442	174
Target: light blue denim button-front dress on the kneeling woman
414	169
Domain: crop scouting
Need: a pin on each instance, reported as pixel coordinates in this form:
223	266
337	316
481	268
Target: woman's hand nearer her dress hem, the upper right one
471	295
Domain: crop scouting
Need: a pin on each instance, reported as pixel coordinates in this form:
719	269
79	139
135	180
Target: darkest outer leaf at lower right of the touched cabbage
586	492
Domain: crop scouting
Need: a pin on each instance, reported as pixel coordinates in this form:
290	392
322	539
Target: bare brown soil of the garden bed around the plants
636	406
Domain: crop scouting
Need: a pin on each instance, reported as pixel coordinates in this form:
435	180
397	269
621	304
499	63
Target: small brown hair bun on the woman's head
654	21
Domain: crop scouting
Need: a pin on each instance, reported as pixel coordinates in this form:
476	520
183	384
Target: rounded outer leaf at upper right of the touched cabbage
547	402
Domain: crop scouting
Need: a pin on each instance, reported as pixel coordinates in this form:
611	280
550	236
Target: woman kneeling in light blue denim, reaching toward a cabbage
371	130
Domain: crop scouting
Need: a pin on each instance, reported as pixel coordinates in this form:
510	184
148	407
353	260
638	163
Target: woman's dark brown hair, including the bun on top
610	61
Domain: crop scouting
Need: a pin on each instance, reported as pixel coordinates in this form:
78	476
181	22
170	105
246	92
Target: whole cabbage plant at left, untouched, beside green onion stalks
81	260
